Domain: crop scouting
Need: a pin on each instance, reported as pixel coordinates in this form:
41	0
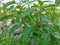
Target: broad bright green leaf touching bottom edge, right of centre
45	39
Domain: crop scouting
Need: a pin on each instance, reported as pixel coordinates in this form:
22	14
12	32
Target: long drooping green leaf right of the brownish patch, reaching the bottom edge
25	36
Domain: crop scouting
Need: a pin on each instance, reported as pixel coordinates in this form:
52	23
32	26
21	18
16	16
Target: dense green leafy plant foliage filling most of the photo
41	22
